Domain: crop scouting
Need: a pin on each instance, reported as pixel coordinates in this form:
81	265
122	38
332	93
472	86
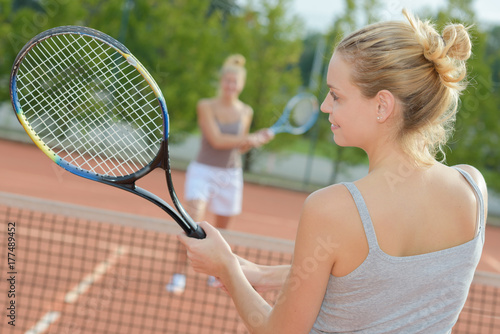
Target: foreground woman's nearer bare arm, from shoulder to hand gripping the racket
302	293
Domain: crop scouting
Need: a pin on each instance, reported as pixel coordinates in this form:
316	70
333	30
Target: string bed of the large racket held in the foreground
94	100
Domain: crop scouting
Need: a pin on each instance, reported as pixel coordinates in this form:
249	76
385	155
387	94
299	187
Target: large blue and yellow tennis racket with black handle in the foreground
93	109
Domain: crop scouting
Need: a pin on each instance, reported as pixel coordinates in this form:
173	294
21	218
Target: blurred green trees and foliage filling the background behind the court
183	44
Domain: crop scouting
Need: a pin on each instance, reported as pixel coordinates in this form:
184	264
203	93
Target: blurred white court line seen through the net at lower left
72	296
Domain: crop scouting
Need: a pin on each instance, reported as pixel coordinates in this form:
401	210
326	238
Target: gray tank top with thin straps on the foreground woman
414	294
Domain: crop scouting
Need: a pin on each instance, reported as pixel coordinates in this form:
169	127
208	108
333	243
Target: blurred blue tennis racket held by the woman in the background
299	115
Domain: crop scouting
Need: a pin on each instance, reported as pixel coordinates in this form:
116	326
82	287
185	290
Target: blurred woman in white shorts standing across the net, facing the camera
214	180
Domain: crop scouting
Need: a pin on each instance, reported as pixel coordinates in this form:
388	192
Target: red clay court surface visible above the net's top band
269	211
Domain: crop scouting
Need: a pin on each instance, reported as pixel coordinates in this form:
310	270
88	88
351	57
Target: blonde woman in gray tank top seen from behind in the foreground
395	251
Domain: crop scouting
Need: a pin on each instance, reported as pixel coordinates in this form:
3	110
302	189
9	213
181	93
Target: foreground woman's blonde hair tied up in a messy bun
424	70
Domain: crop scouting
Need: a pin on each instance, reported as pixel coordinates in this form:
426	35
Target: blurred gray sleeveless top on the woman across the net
229	158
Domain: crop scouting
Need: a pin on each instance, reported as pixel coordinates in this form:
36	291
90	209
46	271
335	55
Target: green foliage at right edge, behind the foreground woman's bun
476	138
